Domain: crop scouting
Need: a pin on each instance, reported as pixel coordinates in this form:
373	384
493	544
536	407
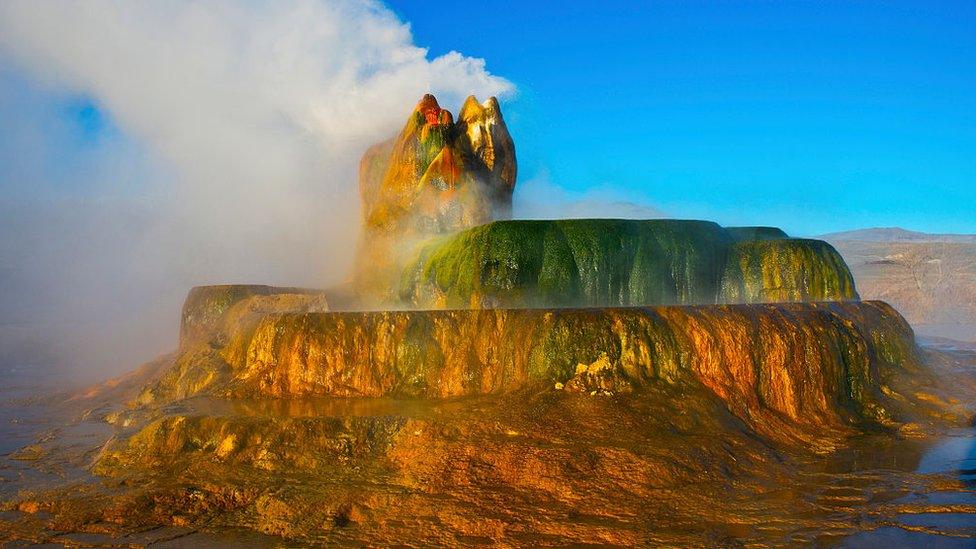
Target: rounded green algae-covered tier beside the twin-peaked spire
610	262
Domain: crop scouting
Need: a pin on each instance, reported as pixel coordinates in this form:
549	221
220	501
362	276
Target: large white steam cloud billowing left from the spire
224	149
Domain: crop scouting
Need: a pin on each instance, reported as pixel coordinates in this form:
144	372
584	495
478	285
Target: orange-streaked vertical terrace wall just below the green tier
813	365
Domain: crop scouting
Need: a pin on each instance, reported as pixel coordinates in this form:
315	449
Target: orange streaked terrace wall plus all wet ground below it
716	425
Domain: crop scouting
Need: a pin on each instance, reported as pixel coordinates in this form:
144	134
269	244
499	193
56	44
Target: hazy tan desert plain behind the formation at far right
932	284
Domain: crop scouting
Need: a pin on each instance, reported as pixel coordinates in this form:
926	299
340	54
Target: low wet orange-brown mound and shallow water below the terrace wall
668	463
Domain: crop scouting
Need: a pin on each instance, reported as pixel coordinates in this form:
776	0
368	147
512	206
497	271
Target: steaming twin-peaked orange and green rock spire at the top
435	177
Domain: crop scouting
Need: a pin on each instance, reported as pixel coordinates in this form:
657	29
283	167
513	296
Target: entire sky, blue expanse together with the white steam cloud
146	148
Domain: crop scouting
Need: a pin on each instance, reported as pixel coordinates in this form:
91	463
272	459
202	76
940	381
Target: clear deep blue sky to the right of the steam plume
815	116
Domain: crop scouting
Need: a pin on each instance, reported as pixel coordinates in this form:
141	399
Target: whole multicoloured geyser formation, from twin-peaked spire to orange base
613	373
